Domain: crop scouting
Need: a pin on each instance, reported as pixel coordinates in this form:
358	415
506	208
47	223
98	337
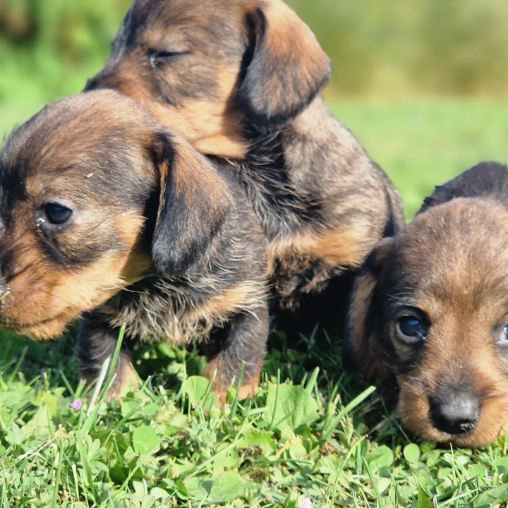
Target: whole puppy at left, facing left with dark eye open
106	215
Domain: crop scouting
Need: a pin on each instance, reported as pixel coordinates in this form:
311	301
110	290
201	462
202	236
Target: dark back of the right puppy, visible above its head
485	180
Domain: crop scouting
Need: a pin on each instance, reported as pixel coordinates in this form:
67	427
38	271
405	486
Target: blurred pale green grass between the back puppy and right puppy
424	144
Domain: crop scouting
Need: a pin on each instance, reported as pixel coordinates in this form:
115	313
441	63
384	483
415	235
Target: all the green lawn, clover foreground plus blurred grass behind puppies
312	434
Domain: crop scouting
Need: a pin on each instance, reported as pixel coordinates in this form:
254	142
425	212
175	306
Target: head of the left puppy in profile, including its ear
94	194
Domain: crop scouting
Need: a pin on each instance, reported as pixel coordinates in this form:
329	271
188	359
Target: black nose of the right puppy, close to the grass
455	411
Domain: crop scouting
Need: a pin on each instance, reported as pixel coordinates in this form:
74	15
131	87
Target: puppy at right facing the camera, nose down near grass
431	308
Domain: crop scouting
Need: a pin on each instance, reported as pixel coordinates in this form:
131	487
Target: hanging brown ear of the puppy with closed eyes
286	67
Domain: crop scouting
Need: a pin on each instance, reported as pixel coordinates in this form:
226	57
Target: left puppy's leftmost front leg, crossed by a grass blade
96	341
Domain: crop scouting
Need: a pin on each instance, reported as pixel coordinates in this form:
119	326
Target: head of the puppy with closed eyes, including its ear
209	67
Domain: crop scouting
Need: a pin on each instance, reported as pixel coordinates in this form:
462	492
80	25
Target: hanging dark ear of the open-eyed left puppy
193	205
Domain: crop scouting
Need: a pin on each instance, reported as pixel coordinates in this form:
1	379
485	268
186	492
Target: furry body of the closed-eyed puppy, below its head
303	196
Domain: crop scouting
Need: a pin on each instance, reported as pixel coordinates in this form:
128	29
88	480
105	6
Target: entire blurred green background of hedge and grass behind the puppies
423	84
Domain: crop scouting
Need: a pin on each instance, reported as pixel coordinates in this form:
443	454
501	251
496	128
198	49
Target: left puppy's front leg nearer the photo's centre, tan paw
241	350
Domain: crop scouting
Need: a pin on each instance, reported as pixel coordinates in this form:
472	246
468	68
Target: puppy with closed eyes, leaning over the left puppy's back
239	79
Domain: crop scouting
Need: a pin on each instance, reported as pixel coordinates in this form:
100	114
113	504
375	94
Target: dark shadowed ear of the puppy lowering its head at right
364	353
